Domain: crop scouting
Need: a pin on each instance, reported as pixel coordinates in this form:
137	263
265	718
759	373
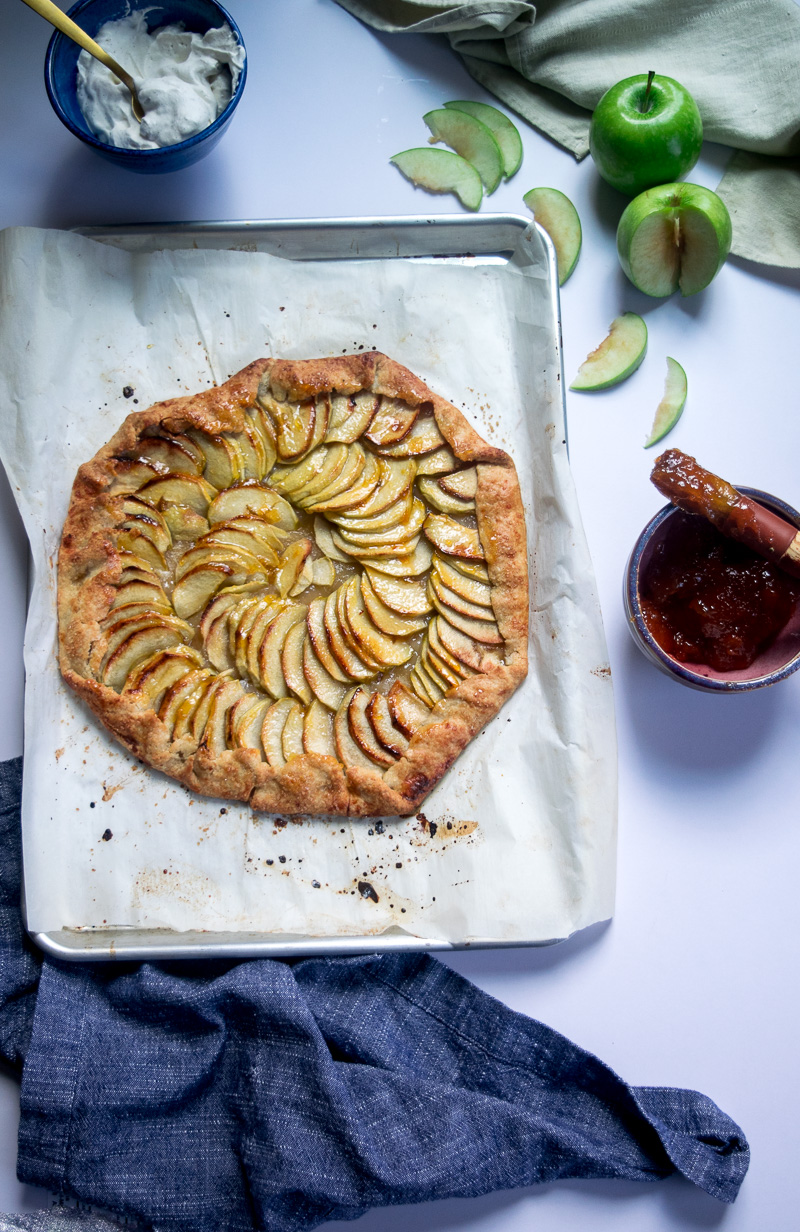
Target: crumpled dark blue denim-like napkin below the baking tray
232	1097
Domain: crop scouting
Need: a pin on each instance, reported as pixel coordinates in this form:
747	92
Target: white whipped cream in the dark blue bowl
184	82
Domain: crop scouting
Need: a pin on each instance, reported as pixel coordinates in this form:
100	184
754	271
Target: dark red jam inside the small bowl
708	599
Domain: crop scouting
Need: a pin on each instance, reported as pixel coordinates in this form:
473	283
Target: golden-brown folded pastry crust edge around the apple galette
89	566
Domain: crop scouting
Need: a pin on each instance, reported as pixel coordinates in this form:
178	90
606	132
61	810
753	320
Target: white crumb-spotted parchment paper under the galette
523	838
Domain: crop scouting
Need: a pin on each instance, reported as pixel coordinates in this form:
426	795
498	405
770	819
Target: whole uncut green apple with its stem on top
637	151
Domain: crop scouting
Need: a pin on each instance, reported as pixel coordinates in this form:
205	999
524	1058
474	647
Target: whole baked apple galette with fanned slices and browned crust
306	588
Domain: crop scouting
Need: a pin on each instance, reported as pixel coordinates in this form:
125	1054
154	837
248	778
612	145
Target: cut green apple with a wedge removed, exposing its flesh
676	236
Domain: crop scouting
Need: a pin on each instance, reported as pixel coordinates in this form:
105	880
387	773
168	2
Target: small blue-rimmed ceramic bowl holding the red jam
773	665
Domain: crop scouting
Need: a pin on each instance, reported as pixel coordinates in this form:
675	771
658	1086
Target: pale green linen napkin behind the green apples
552	62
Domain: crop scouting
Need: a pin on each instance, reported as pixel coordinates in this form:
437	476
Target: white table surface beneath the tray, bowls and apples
695	981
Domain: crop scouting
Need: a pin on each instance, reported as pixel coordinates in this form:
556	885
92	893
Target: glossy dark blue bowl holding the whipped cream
61	78
